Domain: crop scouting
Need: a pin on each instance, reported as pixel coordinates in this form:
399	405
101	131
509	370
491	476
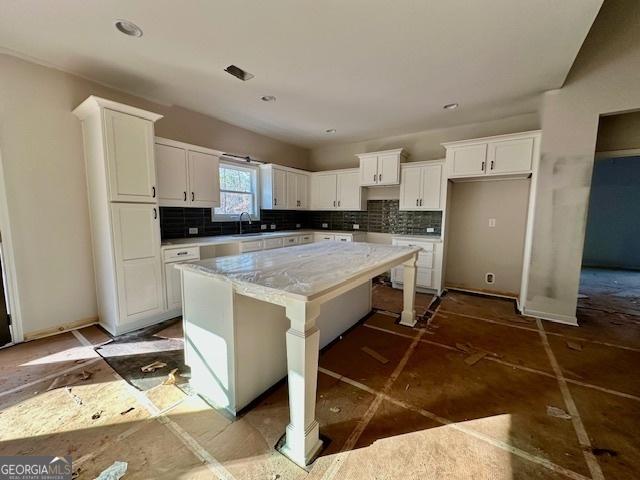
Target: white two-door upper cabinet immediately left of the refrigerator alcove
421	186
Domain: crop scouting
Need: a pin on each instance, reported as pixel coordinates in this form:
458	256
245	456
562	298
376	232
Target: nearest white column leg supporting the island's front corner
302	441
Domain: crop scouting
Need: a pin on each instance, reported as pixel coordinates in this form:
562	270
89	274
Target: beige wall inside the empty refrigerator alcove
474	248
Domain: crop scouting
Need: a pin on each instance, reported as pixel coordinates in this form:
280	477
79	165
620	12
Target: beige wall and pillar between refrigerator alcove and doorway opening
604	79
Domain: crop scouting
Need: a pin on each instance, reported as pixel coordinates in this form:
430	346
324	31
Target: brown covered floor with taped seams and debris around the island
430	412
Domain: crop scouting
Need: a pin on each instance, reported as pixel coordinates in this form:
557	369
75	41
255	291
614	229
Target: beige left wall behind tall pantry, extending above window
41	149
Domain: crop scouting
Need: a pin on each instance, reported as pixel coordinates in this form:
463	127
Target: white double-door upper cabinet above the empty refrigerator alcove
504	155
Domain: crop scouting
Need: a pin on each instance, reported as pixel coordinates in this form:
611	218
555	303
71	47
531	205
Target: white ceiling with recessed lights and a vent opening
368	68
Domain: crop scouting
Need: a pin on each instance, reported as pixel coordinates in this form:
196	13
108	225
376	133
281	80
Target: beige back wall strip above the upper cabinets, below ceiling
421	145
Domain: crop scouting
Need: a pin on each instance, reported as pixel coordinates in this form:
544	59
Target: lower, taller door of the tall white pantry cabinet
136	232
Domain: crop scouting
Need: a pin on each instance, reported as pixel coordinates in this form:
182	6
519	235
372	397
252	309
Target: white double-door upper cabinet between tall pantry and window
188	176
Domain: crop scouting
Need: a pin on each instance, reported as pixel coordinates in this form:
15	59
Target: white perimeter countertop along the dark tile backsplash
226	239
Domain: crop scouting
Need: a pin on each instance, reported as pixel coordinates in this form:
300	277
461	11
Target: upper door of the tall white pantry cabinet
130	160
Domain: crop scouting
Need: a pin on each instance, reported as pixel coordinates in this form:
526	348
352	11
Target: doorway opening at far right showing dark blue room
610	276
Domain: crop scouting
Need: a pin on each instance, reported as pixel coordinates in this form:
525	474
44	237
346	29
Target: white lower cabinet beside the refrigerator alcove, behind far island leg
428	266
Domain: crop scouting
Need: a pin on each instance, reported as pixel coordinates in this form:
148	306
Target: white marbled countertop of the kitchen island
303	272
